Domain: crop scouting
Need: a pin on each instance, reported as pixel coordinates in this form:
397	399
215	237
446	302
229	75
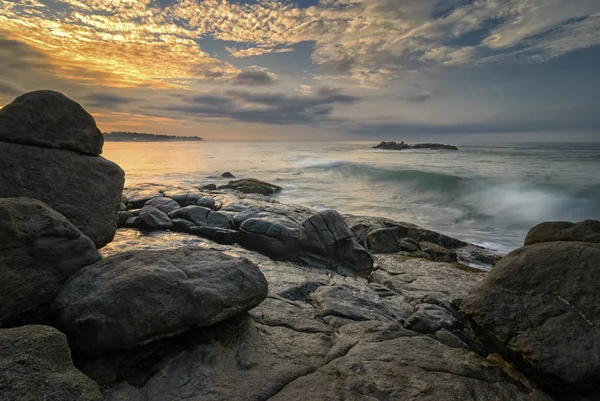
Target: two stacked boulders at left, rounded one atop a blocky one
49	150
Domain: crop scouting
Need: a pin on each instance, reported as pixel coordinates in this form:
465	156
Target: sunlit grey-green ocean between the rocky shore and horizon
490	195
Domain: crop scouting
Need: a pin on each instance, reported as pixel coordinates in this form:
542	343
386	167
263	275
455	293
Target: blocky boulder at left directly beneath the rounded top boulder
86	190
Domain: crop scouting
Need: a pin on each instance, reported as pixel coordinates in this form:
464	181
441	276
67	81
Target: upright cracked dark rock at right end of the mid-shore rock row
328	235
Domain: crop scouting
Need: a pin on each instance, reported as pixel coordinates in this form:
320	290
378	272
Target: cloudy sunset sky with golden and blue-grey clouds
491	70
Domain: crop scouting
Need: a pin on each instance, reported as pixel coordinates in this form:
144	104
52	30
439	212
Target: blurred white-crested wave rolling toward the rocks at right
466	198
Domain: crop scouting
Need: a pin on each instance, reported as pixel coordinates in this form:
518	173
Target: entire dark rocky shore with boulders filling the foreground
224	293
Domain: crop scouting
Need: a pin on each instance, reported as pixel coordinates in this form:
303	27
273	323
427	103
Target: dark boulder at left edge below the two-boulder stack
39	251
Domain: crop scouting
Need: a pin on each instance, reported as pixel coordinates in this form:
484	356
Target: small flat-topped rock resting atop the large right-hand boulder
584	231
